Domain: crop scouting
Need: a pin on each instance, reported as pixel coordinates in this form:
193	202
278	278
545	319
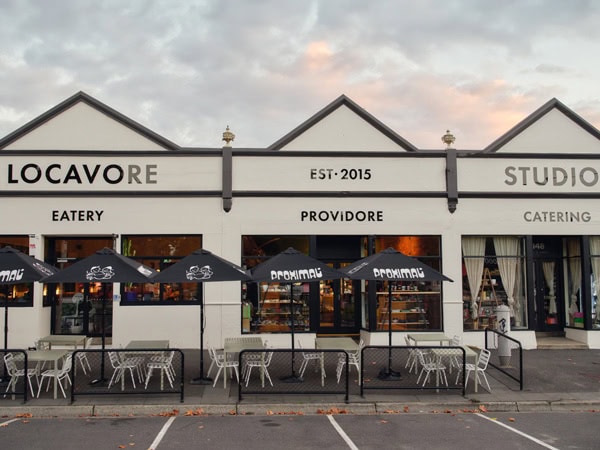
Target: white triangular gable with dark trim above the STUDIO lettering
552	129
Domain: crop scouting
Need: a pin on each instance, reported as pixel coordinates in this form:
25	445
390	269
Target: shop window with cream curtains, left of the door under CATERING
493	275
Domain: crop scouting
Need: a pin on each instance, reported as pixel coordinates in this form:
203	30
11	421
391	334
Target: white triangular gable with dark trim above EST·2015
342	126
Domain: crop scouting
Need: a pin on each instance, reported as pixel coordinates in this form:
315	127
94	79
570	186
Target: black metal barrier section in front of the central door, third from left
281	371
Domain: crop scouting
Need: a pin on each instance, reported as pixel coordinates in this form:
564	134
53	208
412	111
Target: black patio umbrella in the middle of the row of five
201	266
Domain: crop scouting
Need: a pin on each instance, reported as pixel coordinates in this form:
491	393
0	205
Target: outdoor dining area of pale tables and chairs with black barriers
249	365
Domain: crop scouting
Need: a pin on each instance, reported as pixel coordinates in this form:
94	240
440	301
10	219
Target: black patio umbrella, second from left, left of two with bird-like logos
104	266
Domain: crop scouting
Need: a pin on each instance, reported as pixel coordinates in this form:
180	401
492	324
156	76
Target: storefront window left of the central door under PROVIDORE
267	307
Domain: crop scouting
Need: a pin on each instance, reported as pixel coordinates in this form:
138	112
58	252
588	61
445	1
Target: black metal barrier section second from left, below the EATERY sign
127	372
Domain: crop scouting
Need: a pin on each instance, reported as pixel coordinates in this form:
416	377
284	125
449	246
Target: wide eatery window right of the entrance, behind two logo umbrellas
159	252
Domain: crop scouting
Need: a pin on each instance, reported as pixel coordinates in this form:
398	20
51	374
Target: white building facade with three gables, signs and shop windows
514	223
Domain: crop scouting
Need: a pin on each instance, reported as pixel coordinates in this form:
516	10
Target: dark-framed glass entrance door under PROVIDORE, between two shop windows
338	312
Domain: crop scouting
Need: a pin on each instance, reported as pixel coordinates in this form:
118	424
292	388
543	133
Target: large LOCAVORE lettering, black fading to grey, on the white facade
82	173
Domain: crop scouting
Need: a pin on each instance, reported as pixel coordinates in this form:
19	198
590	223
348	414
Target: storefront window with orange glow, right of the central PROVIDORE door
415	305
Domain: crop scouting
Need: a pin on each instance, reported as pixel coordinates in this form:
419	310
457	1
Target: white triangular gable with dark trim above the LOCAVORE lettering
83	123
